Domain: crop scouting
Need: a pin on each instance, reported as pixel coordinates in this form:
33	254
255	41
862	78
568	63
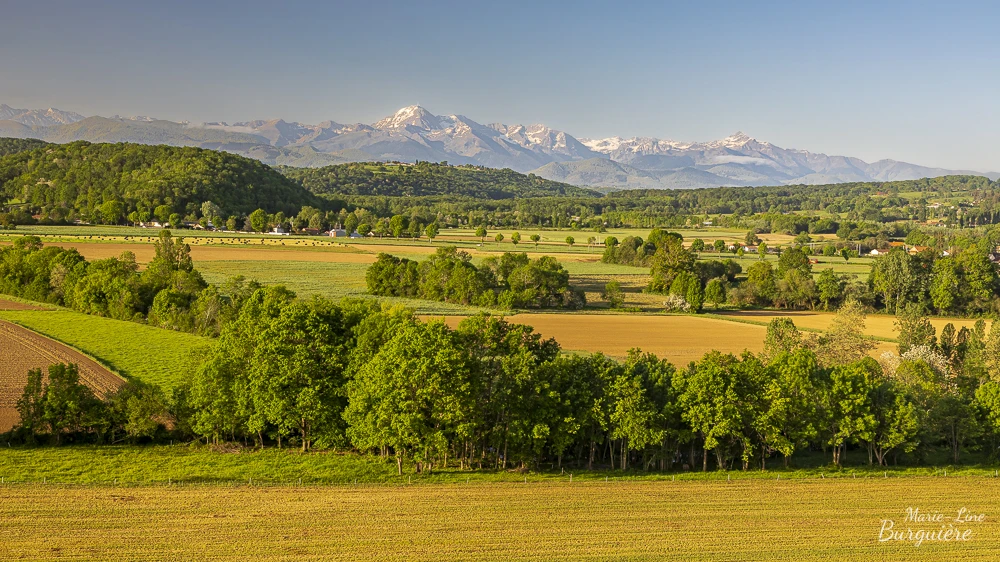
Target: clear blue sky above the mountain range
909	80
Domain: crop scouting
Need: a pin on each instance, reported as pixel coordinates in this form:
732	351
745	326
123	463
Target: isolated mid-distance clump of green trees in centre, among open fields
511	280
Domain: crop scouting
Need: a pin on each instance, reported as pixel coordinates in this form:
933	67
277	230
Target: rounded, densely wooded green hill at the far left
76	179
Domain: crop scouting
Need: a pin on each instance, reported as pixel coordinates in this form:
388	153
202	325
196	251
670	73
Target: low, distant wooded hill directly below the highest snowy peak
427	178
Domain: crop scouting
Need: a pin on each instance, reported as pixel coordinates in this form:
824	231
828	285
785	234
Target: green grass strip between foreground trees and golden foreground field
194	463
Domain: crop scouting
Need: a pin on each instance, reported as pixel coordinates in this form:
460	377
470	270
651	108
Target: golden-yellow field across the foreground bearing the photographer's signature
833	519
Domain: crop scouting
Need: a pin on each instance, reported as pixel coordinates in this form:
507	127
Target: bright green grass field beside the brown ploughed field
146	353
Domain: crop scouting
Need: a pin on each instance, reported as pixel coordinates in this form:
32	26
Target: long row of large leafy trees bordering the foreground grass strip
363	376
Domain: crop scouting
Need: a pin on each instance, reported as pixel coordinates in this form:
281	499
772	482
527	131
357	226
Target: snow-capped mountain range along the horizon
413	133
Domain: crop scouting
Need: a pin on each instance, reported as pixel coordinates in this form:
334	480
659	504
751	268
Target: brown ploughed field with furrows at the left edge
22	350
